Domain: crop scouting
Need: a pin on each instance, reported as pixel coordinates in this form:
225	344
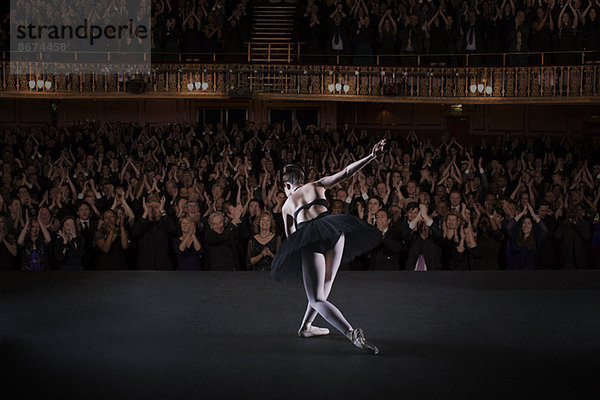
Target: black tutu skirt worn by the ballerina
320	235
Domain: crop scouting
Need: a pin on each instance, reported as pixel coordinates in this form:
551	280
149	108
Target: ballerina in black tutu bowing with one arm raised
319	242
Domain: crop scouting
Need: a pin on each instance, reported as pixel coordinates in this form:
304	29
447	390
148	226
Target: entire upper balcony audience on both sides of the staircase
354	30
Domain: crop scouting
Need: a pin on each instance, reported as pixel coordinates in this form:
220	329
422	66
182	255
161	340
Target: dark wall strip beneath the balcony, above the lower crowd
426	119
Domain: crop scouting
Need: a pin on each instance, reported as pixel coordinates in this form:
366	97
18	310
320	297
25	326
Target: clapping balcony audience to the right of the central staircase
440	27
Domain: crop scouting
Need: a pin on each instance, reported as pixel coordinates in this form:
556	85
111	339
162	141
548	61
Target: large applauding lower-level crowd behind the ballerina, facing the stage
510	202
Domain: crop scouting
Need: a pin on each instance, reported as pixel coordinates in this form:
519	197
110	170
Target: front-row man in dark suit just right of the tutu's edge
386	256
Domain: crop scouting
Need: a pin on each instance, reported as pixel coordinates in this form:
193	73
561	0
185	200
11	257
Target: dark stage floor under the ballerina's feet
169	335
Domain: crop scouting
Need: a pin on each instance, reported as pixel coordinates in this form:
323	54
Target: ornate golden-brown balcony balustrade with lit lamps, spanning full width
327	82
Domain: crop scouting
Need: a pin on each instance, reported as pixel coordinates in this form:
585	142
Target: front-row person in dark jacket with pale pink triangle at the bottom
425	244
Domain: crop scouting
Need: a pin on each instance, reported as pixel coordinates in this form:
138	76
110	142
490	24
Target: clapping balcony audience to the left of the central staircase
188	27
